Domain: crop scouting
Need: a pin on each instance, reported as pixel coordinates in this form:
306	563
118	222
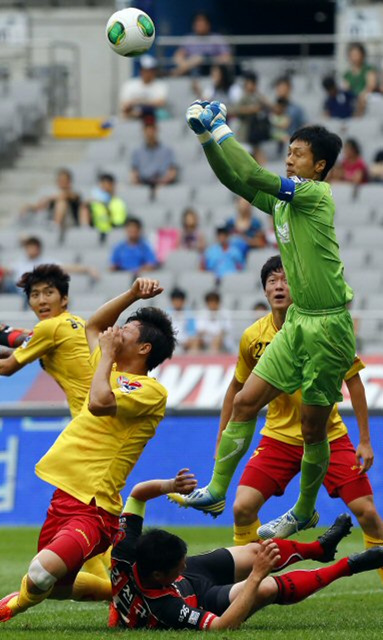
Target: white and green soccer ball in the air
130	32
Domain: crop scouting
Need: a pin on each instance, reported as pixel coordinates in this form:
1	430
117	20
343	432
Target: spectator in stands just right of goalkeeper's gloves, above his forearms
252	112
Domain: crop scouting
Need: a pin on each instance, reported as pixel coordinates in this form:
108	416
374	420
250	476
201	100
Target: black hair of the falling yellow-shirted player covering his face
157	329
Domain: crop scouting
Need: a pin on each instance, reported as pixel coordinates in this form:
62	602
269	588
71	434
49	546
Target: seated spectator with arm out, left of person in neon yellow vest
64	206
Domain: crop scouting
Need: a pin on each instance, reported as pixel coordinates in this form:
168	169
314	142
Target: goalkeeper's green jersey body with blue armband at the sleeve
304	228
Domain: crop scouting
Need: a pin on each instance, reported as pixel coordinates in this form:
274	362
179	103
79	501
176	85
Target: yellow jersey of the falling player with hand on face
94	455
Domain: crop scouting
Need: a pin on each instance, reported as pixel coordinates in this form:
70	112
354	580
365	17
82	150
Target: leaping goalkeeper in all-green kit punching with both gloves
316	346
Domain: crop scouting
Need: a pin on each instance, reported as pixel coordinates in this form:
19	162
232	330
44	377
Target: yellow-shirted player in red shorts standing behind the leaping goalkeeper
277	458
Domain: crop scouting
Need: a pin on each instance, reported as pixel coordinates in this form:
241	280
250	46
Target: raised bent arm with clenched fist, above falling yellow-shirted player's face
107	315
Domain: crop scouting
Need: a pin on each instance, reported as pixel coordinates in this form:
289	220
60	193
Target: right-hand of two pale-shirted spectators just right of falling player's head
183	321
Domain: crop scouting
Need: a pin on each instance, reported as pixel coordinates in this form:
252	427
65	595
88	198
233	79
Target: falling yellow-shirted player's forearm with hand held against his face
102	401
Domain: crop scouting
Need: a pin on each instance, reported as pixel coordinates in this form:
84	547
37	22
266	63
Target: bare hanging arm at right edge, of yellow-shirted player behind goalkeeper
359	404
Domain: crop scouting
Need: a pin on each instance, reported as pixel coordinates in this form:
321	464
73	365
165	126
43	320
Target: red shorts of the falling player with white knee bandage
76	531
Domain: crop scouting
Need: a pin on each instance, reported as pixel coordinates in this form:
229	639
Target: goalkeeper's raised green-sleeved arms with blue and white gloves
231	163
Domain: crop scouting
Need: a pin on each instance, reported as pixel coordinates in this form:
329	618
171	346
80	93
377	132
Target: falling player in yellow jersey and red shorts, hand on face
93	456
